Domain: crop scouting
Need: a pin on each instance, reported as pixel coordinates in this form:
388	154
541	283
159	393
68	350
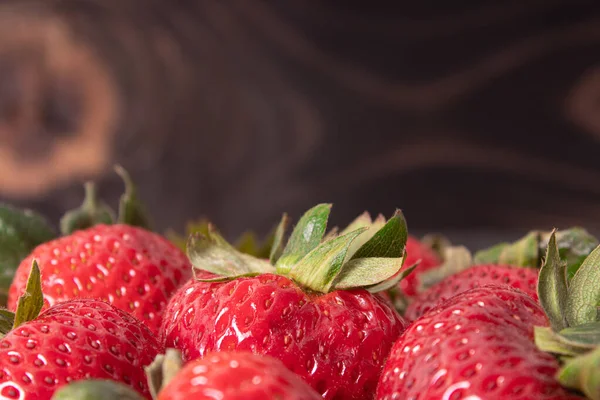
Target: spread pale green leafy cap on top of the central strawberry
367	254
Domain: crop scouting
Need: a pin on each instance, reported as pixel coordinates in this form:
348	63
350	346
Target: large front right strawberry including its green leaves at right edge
494	341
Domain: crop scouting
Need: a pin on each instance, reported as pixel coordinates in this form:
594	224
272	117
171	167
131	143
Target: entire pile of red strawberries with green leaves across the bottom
111	310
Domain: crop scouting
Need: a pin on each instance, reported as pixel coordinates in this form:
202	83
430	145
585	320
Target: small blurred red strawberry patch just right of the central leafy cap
416	251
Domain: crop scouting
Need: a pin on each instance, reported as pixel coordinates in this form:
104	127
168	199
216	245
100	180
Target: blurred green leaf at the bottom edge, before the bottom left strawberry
96	389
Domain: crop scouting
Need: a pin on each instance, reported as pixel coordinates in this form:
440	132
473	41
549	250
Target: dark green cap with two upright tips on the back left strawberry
94	211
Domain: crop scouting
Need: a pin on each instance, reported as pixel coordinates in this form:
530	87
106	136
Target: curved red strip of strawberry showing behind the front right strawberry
524	279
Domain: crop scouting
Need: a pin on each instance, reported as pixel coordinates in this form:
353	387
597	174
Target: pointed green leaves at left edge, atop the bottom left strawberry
29	304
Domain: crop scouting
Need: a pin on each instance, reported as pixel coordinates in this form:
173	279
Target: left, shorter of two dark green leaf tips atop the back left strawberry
93	211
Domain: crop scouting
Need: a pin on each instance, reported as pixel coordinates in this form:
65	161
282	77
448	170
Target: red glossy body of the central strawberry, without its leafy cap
337	342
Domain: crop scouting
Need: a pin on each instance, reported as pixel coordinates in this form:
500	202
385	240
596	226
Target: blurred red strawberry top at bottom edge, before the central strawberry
237	376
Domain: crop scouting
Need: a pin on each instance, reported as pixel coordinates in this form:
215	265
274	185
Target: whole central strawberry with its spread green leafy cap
313	309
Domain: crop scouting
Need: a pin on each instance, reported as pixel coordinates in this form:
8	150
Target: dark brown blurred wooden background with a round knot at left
477	118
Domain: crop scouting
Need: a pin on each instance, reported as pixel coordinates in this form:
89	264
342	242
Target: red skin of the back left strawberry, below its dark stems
131	268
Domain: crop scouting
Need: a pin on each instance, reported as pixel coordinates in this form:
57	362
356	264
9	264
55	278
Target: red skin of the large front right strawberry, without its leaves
480	344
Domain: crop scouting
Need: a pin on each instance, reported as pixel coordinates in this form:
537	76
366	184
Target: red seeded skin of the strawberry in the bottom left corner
74	340
